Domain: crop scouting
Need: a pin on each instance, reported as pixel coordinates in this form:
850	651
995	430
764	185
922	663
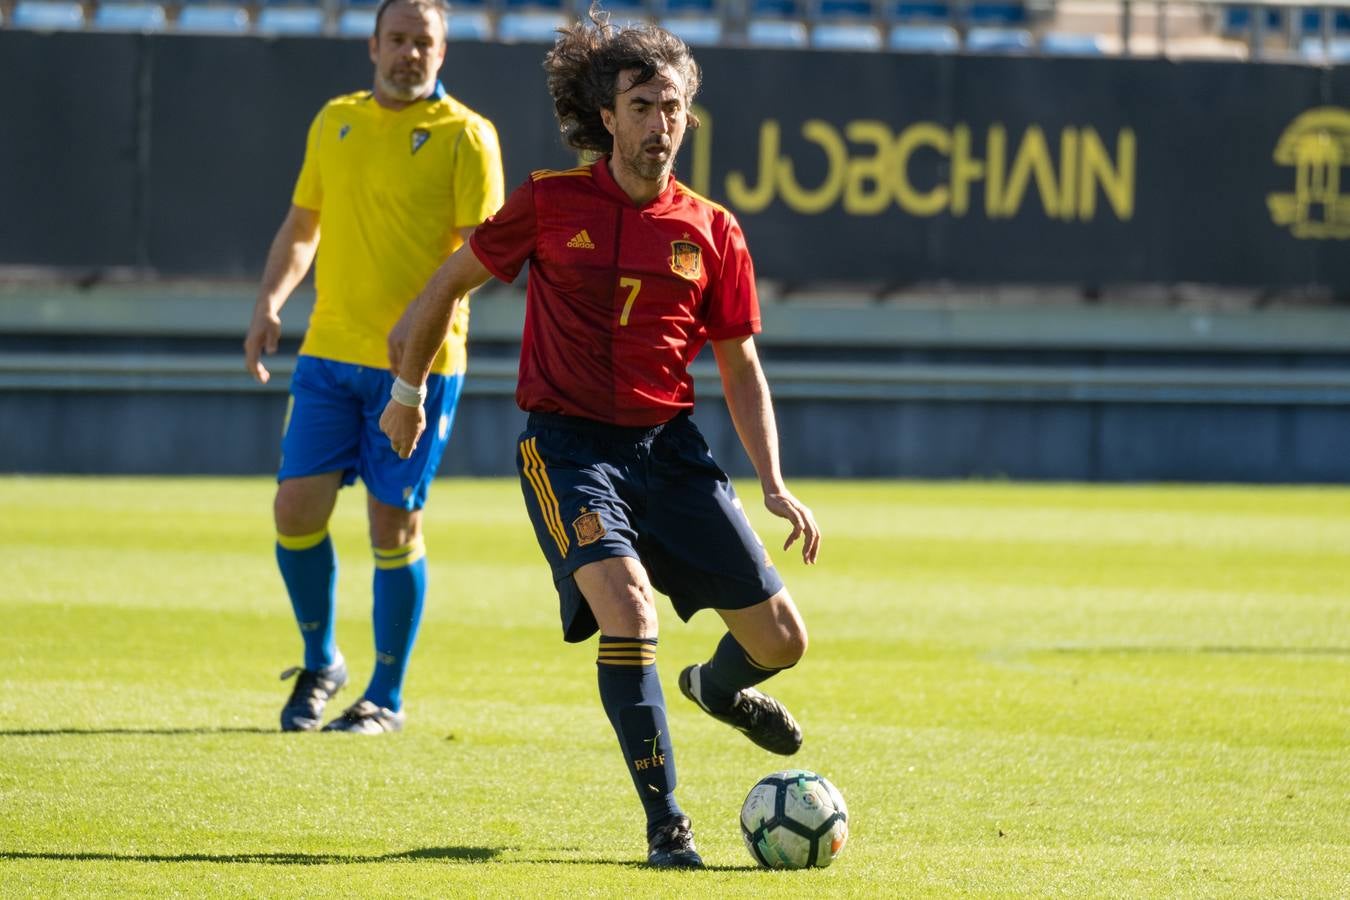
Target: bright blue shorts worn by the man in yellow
333	424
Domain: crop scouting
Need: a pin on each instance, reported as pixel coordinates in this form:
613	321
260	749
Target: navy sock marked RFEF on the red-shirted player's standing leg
632	696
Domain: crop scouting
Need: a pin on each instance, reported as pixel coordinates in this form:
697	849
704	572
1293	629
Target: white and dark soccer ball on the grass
794	820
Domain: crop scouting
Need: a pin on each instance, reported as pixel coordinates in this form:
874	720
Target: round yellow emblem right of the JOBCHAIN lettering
1317	145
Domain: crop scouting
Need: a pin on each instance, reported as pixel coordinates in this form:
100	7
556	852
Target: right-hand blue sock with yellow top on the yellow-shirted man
400	589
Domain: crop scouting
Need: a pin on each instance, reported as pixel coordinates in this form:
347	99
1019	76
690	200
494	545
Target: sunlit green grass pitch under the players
1020	690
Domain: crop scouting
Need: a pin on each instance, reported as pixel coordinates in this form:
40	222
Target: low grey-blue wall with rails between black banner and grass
133	385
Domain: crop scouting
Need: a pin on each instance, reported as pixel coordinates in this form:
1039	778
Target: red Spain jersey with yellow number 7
620	298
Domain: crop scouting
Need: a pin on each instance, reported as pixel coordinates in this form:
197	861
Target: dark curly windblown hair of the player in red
584	72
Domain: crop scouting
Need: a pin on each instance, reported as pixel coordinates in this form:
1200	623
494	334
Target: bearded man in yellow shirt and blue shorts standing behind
394	181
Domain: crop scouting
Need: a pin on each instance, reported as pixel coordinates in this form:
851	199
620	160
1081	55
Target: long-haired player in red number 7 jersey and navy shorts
630	276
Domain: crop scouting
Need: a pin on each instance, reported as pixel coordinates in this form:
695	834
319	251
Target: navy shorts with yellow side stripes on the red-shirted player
654	495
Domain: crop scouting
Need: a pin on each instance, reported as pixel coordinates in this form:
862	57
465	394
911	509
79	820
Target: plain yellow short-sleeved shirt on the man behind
392	190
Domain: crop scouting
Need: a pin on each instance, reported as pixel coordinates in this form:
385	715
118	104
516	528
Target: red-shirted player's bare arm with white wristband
433	312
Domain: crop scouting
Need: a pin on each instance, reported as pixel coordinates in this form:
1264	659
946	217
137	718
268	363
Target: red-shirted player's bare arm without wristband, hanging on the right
753	414
